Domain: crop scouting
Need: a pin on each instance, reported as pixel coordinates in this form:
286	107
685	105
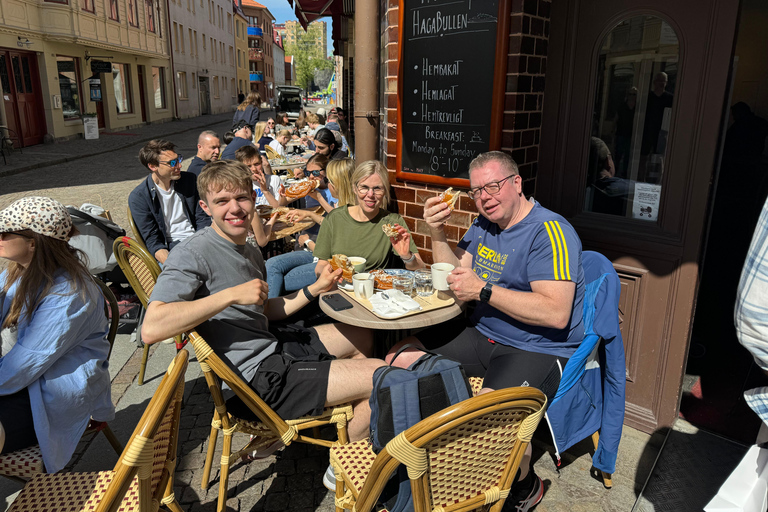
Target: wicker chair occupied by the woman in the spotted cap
23	464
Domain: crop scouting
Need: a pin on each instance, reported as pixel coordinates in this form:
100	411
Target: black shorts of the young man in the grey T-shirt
294	380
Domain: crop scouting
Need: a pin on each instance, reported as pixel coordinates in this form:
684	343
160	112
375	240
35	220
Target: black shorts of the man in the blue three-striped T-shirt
501	366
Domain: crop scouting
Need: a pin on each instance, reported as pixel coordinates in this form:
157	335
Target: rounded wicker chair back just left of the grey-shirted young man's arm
141	270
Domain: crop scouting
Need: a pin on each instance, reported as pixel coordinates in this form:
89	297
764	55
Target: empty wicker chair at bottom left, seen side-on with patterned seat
141	481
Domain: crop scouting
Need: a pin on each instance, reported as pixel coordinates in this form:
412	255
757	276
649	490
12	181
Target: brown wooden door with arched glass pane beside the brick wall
650	224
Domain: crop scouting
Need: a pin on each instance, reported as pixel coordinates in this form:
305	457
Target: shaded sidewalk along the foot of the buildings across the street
44	155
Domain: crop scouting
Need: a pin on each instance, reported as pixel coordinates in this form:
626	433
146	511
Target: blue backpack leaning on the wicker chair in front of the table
401	398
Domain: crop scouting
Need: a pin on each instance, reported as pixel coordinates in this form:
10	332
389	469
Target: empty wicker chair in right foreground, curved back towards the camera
464	457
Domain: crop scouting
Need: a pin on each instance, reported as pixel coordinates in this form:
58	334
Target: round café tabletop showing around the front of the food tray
361	317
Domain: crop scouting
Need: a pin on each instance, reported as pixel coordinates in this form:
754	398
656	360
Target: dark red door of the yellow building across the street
25	94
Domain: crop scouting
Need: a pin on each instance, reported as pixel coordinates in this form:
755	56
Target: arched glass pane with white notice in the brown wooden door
637	75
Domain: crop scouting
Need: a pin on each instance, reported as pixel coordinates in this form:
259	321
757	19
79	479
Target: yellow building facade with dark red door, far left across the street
66	60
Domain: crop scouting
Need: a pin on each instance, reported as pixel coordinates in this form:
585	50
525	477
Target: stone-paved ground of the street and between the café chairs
104	172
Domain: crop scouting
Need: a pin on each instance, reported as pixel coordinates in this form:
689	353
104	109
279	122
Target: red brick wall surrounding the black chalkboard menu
524	100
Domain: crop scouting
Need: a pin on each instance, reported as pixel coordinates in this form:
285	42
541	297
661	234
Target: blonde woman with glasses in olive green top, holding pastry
356	230
